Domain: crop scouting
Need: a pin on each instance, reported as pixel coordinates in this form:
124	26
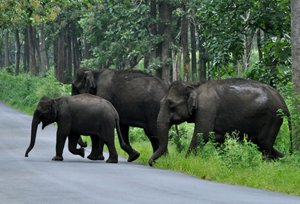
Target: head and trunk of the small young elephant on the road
46	112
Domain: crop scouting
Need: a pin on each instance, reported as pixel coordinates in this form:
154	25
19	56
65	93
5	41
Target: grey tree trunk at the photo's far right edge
295	38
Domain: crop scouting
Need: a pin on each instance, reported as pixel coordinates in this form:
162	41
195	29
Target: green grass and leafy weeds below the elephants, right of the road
234	162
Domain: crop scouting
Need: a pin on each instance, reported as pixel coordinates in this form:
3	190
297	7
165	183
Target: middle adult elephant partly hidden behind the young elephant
135	95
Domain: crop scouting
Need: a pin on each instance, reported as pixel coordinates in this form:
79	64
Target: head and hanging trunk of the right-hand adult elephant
176	107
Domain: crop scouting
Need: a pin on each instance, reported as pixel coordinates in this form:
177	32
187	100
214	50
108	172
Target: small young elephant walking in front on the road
82	114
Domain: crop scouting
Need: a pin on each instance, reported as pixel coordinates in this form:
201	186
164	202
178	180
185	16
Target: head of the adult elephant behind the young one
84	83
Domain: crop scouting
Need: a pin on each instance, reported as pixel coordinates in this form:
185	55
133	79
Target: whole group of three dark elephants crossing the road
105	100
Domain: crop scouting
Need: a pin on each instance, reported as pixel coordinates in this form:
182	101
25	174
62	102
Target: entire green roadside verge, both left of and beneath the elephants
234	163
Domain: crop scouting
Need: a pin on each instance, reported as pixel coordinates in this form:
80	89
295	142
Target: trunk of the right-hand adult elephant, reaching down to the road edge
163	132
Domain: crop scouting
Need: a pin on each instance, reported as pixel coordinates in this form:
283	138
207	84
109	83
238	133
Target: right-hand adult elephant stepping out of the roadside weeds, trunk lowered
223	106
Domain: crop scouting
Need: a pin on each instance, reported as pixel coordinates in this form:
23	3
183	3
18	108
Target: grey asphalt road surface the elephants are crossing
37	179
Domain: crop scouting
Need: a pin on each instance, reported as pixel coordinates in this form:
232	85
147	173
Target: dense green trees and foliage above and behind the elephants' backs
126	34
